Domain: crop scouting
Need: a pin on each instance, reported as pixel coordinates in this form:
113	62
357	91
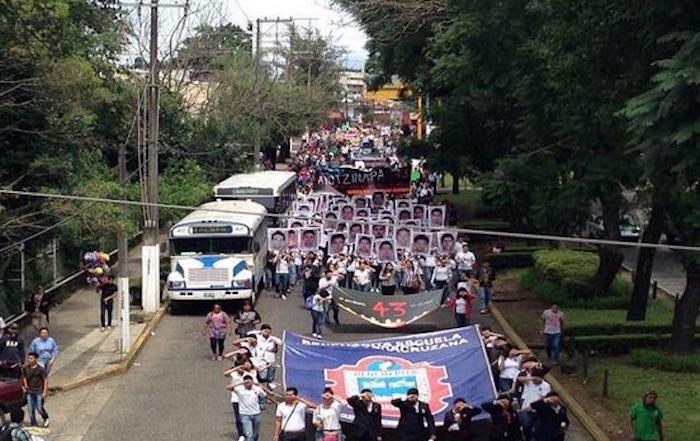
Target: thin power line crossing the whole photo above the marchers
428	229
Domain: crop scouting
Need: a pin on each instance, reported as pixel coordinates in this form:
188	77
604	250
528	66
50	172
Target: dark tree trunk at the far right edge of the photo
686	311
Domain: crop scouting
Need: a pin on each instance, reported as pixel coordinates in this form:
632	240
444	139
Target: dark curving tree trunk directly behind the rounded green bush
610	256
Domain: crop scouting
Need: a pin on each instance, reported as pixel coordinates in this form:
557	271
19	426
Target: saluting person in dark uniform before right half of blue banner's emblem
416	422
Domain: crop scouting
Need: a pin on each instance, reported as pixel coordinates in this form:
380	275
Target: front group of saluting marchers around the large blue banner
526	408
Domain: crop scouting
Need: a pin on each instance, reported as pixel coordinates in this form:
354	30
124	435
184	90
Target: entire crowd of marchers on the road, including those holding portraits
383	244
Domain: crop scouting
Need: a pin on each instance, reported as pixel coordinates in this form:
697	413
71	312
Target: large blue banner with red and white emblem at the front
442	365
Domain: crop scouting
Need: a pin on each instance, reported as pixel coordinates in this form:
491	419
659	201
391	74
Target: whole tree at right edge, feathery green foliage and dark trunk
665	122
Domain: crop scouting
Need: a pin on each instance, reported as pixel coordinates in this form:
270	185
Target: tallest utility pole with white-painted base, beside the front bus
150	251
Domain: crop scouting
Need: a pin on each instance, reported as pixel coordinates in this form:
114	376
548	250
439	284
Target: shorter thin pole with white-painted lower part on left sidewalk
123	267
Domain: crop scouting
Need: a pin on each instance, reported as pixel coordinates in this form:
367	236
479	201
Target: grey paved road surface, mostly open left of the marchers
176	392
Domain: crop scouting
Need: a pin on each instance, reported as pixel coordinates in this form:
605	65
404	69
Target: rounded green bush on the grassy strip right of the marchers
561	276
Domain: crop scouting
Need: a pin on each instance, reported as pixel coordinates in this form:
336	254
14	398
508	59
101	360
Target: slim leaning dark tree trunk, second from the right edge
637	309
